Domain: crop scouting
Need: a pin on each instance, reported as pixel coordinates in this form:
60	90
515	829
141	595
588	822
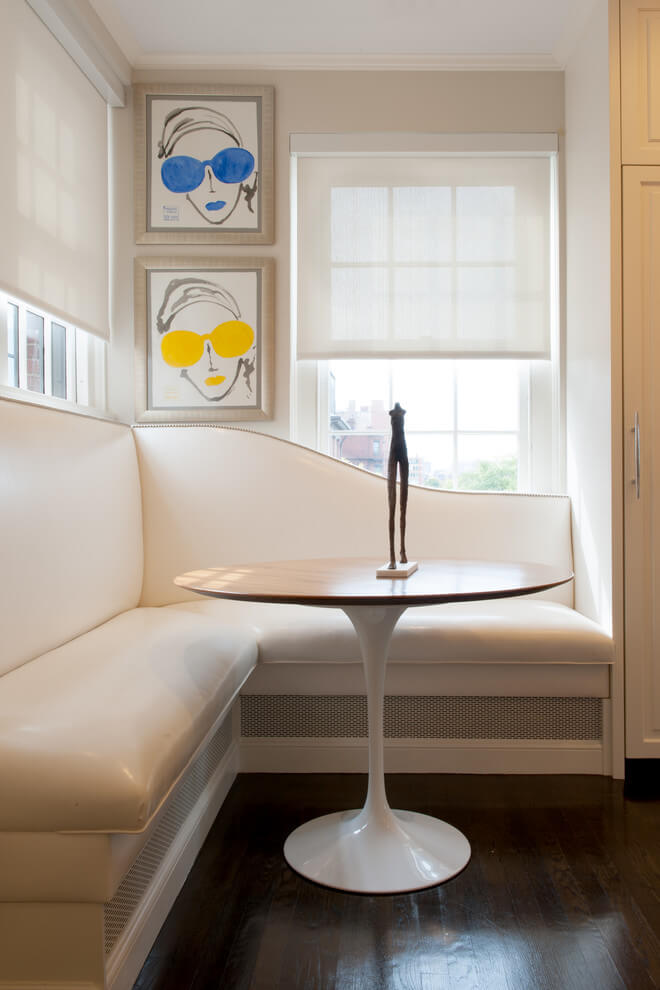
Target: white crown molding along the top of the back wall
386	62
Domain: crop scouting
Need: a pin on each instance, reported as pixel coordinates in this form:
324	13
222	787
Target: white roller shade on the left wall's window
53	175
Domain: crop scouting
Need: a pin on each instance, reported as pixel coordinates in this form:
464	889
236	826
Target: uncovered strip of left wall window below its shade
50	358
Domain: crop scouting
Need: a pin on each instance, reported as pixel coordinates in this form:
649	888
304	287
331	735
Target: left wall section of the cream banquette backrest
70	527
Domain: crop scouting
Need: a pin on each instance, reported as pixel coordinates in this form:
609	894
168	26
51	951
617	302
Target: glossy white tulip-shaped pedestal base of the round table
376	850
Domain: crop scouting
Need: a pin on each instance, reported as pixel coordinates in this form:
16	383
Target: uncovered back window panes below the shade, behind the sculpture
464	427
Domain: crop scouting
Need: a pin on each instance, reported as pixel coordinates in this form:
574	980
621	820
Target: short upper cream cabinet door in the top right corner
640	82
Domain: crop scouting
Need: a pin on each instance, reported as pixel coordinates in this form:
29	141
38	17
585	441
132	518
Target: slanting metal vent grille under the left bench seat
118	911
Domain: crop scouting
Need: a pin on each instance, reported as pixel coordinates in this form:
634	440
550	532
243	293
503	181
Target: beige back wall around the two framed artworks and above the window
320	101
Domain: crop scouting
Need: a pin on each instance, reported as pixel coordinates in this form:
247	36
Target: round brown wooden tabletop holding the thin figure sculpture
352	581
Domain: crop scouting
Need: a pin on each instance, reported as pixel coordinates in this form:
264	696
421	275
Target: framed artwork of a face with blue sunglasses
204	164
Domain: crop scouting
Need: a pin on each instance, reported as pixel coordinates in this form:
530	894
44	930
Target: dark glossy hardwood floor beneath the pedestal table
562	893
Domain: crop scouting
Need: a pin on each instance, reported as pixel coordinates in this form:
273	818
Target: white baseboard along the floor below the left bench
123	964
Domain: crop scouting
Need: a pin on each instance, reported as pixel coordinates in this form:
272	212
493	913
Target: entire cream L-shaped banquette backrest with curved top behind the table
88	529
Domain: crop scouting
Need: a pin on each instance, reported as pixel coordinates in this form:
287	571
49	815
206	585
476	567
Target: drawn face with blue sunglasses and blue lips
204	161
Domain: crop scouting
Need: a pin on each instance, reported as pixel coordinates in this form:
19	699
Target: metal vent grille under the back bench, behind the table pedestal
422	717
